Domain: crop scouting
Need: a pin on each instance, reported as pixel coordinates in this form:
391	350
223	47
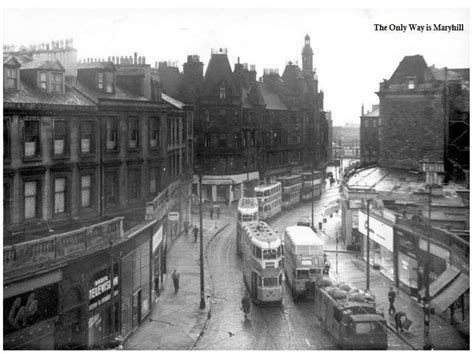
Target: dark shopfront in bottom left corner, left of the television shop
30	310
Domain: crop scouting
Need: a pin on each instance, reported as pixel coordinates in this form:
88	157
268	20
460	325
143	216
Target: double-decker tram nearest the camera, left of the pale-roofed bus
262	262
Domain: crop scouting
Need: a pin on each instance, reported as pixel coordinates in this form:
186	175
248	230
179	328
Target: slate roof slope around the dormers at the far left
29	94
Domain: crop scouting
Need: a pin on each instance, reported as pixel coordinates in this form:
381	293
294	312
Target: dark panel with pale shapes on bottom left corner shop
24	310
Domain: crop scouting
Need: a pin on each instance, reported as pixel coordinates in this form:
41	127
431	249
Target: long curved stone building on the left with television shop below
97	182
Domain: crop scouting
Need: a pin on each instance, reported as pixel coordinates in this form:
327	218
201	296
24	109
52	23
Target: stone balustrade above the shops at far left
56	247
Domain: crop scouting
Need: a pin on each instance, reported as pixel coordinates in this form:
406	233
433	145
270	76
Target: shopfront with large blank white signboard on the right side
381	243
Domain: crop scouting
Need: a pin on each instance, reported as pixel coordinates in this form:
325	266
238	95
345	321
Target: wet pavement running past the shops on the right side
352	269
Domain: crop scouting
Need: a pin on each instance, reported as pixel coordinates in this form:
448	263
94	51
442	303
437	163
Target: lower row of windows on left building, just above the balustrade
62	187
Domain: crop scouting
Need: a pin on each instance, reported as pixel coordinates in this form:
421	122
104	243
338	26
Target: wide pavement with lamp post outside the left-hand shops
176	321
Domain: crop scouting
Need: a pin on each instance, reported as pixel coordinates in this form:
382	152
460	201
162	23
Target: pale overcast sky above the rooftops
350	57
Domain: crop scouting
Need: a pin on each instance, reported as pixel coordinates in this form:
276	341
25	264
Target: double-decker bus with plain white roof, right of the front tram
304	260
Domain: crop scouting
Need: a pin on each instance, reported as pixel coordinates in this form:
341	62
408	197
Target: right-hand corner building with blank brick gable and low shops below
406	207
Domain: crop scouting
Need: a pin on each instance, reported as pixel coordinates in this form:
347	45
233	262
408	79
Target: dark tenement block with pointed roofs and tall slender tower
247	129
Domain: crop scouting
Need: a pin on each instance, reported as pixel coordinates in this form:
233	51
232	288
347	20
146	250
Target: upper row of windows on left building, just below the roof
32	136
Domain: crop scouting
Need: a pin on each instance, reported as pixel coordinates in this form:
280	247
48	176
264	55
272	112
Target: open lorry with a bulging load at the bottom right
351	317
